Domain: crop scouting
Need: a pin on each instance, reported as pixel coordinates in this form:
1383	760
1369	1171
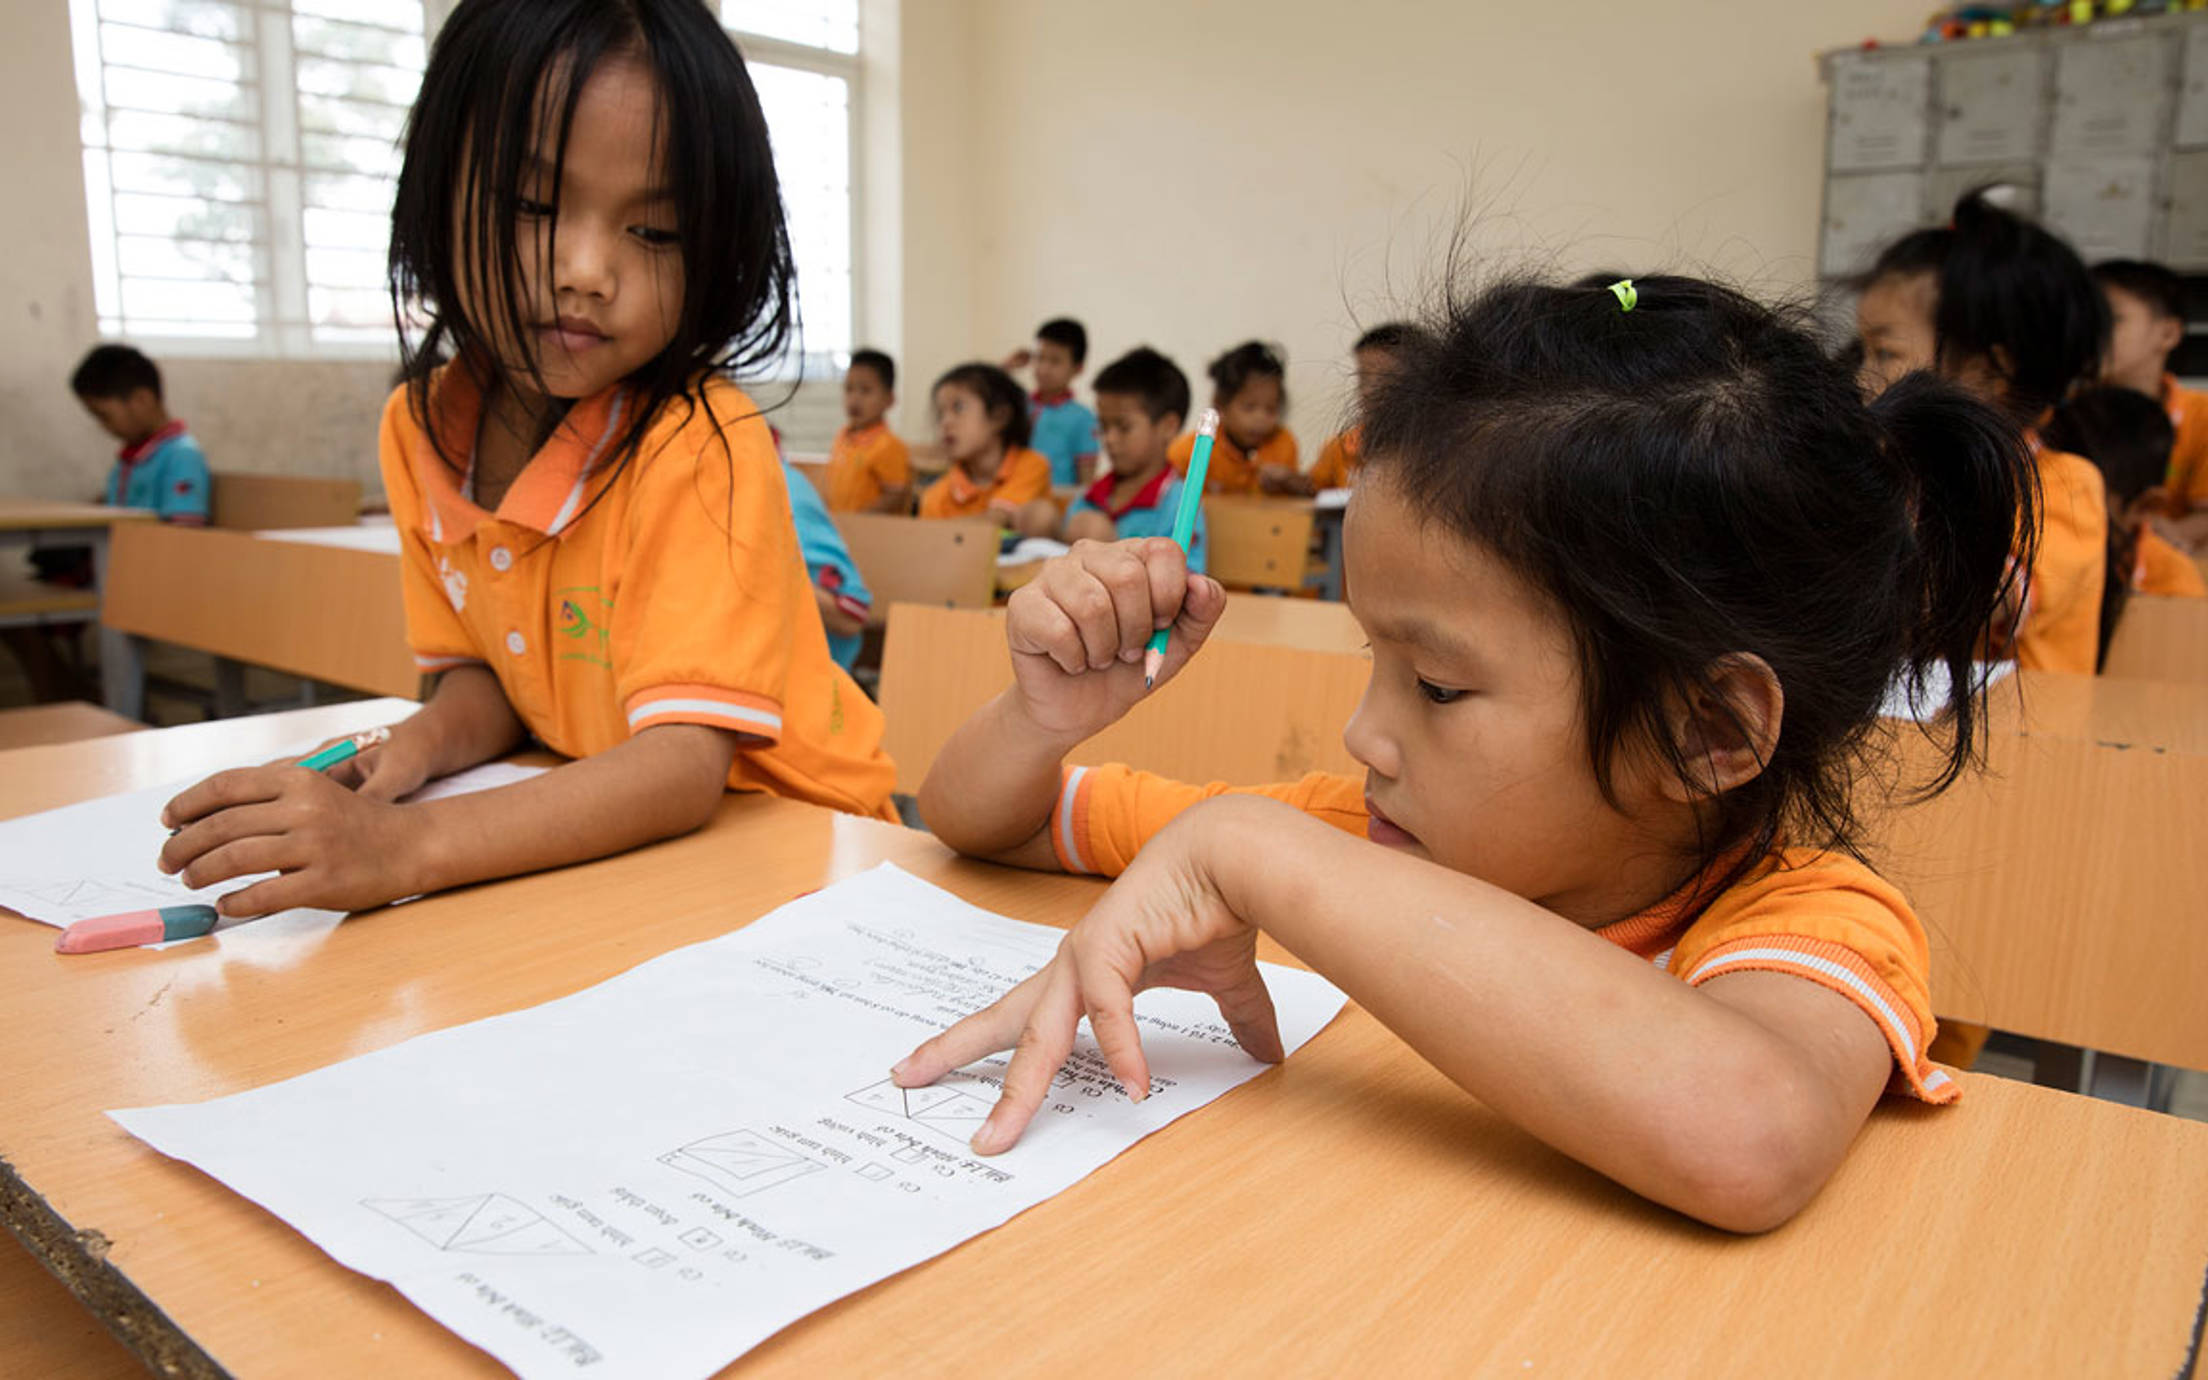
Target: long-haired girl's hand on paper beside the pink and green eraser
335	849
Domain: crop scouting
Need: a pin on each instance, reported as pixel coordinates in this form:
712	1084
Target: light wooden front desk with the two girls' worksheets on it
1346	1213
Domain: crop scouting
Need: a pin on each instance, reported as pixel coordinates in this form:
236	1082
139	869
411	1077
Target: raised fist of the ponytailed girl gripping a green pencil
1079	630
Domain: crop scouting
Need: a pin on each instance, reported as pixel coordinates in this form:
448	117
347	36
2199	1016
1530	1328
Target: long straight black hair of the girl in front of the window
502	87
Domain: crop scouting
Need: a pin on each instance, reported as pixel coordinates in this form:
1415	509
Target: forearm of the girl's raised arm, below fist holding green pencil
995	785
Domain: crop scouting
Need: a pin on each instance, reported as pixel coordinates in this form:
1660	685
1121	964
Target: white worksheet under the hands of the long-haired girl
103	856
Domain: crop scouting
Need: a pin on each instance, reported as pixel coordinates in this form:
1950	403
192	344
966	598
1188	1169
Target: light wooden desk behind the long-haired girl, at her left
299	604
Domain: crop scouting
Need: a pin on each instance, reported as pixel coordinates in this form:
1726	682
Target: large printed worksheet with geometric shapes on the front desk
655	1176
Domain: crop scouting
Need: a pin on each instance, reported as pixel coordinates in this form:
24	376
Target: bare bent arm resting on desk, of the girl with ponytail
1664	1087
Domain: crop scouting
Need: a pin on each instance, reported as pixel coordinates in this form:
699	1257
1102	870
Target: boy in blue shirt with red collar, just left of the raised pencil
1143	401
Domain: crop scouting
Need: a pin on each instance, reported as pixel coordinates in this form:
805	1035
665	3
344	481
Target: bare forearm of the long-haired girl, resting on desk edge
652	787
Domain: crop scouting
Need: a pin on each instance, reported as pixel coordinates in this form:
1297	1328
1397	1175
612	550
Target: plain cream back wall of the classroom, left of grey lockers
1191	176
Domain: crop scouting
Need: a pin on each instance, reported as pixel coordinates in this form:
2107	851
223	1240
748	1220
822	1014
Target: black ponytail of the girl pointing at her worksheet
1977	533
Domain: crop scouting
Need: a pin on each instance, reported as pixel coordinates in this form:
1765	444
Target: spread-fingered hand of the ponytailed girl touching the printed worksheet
1163	924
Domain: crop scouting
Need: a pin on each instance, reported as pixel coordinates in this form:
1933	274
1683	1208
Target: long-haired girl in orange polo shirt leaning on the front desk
597	540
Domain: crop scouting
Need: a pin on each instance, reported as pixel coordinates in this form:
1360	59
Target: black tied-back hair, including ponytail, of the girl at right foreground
1692	480
